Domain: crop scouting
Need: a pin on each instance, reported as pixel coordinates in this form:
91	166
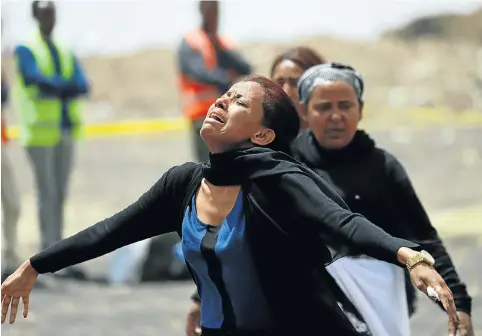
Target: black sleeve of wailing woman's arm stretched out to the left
151	215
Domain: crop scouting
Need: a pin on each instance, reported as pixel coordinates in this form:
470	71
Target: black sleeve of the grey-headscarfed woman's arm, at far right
424	233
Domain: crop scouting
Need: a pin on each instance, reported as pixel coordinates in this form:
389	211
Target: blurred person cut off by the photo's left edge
10	200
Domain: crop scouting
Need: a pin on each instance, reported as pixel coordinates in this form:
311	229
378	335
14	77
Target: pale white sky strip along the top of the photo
96	27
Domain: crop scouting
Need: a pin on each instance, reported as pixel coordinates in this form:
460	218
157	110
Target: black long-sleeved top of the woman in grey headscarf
373	183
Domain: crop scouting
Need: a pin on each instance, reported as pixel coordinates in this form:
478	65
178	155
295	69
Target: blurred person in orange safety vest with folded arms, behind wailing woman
208	65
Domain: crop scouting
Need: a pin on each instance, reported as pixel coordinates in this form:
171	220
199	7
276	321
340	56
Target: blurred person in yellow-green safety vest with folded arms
49	84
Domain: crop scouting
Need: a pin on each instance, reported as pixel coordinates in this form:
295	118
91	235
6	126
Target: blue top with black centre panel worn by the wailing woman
221	260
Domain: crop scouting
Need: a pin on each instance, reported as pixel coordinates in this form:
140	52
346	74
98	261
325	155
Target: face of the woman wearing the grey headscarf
333	114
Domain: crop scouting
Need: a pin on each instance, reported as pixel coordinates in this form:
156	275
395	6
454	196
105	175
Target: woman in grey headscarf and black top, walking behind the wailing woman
372	182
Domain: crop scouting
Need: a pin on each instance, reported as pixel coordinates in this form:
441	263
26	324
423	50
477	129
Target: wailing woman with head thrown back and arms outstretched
257	228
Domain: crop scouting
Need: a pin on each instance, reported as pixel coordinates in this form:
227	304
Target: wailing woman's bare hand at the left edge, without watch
16	286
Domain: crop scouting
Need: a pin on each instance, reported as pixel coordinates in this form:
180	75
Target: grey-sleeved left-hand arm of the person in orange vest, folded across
191	64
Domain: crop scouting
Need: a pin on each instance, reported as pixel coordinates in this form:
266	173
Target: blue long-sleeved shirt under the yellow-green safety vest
54	86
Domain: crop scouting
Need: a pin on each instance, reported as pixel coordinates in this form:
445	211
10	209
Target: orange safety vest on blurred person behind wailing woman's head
197	97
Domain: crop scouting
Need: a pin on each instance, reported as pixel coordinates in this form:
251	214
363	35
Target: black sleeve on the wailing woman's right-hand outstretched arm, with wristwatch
313	208
